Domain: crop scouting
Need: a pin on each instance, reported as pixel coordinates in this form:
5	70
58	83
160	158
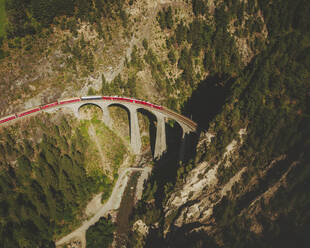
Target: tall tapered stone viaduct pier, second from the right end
160	142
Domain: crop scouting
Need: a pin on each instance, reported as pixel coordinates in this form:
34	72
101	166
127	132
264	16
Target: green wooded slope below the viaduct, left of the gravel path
49	171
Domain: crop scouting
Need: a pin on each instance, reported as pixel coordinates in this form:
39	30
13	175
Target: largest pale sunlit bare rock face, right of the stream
201	190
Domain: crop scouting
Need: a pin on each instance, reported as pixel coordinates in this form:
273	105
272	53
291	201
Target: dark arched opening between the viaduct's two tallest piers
152	128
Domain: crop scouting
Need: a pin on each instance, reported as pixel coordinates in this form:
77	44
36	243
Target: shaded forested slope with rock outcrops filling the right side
247	186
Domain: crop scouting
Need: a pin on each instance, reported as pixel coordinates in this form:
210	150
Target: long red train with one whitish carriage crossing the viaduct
73	100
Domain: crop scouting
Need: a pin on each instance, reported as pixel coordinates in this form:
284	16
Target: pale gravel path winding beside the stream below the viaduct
112	204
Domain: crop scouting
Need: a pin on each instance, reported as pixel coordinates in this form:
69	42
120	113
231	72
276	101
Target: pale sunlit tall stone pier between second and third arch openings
135	138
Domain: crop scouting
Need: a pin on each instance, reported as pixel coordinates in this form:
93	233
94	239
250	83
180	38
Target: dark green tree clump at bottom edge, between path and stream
101	234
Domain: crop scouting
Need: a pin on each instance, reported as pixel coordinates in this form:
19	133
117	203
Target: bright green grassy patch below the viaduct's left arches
104	160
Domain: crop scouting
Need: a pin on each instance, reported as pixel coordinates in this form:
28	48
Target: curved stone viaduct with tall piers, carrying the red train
132	106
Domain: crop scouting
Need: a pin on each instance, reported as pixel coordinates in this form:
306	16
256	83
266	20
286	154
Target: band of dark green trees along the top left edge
29	17
